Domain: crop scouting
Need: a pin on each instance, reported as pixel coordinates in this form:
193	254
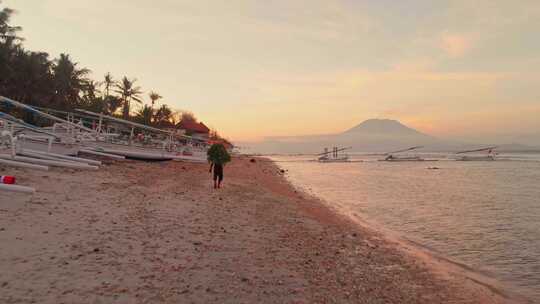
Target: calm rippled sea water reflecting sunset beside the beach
482	214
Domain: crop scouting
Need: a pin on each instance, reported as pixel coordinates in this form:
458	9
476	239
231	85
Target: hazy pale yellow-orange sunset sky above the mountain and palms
459	69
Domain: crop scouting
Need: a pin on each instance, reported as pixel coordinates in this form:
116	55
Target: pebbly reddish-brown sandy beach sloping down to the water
136	232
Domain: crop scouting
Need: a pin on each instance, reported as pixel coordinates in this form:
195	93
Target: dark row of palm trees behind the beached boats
34	78
